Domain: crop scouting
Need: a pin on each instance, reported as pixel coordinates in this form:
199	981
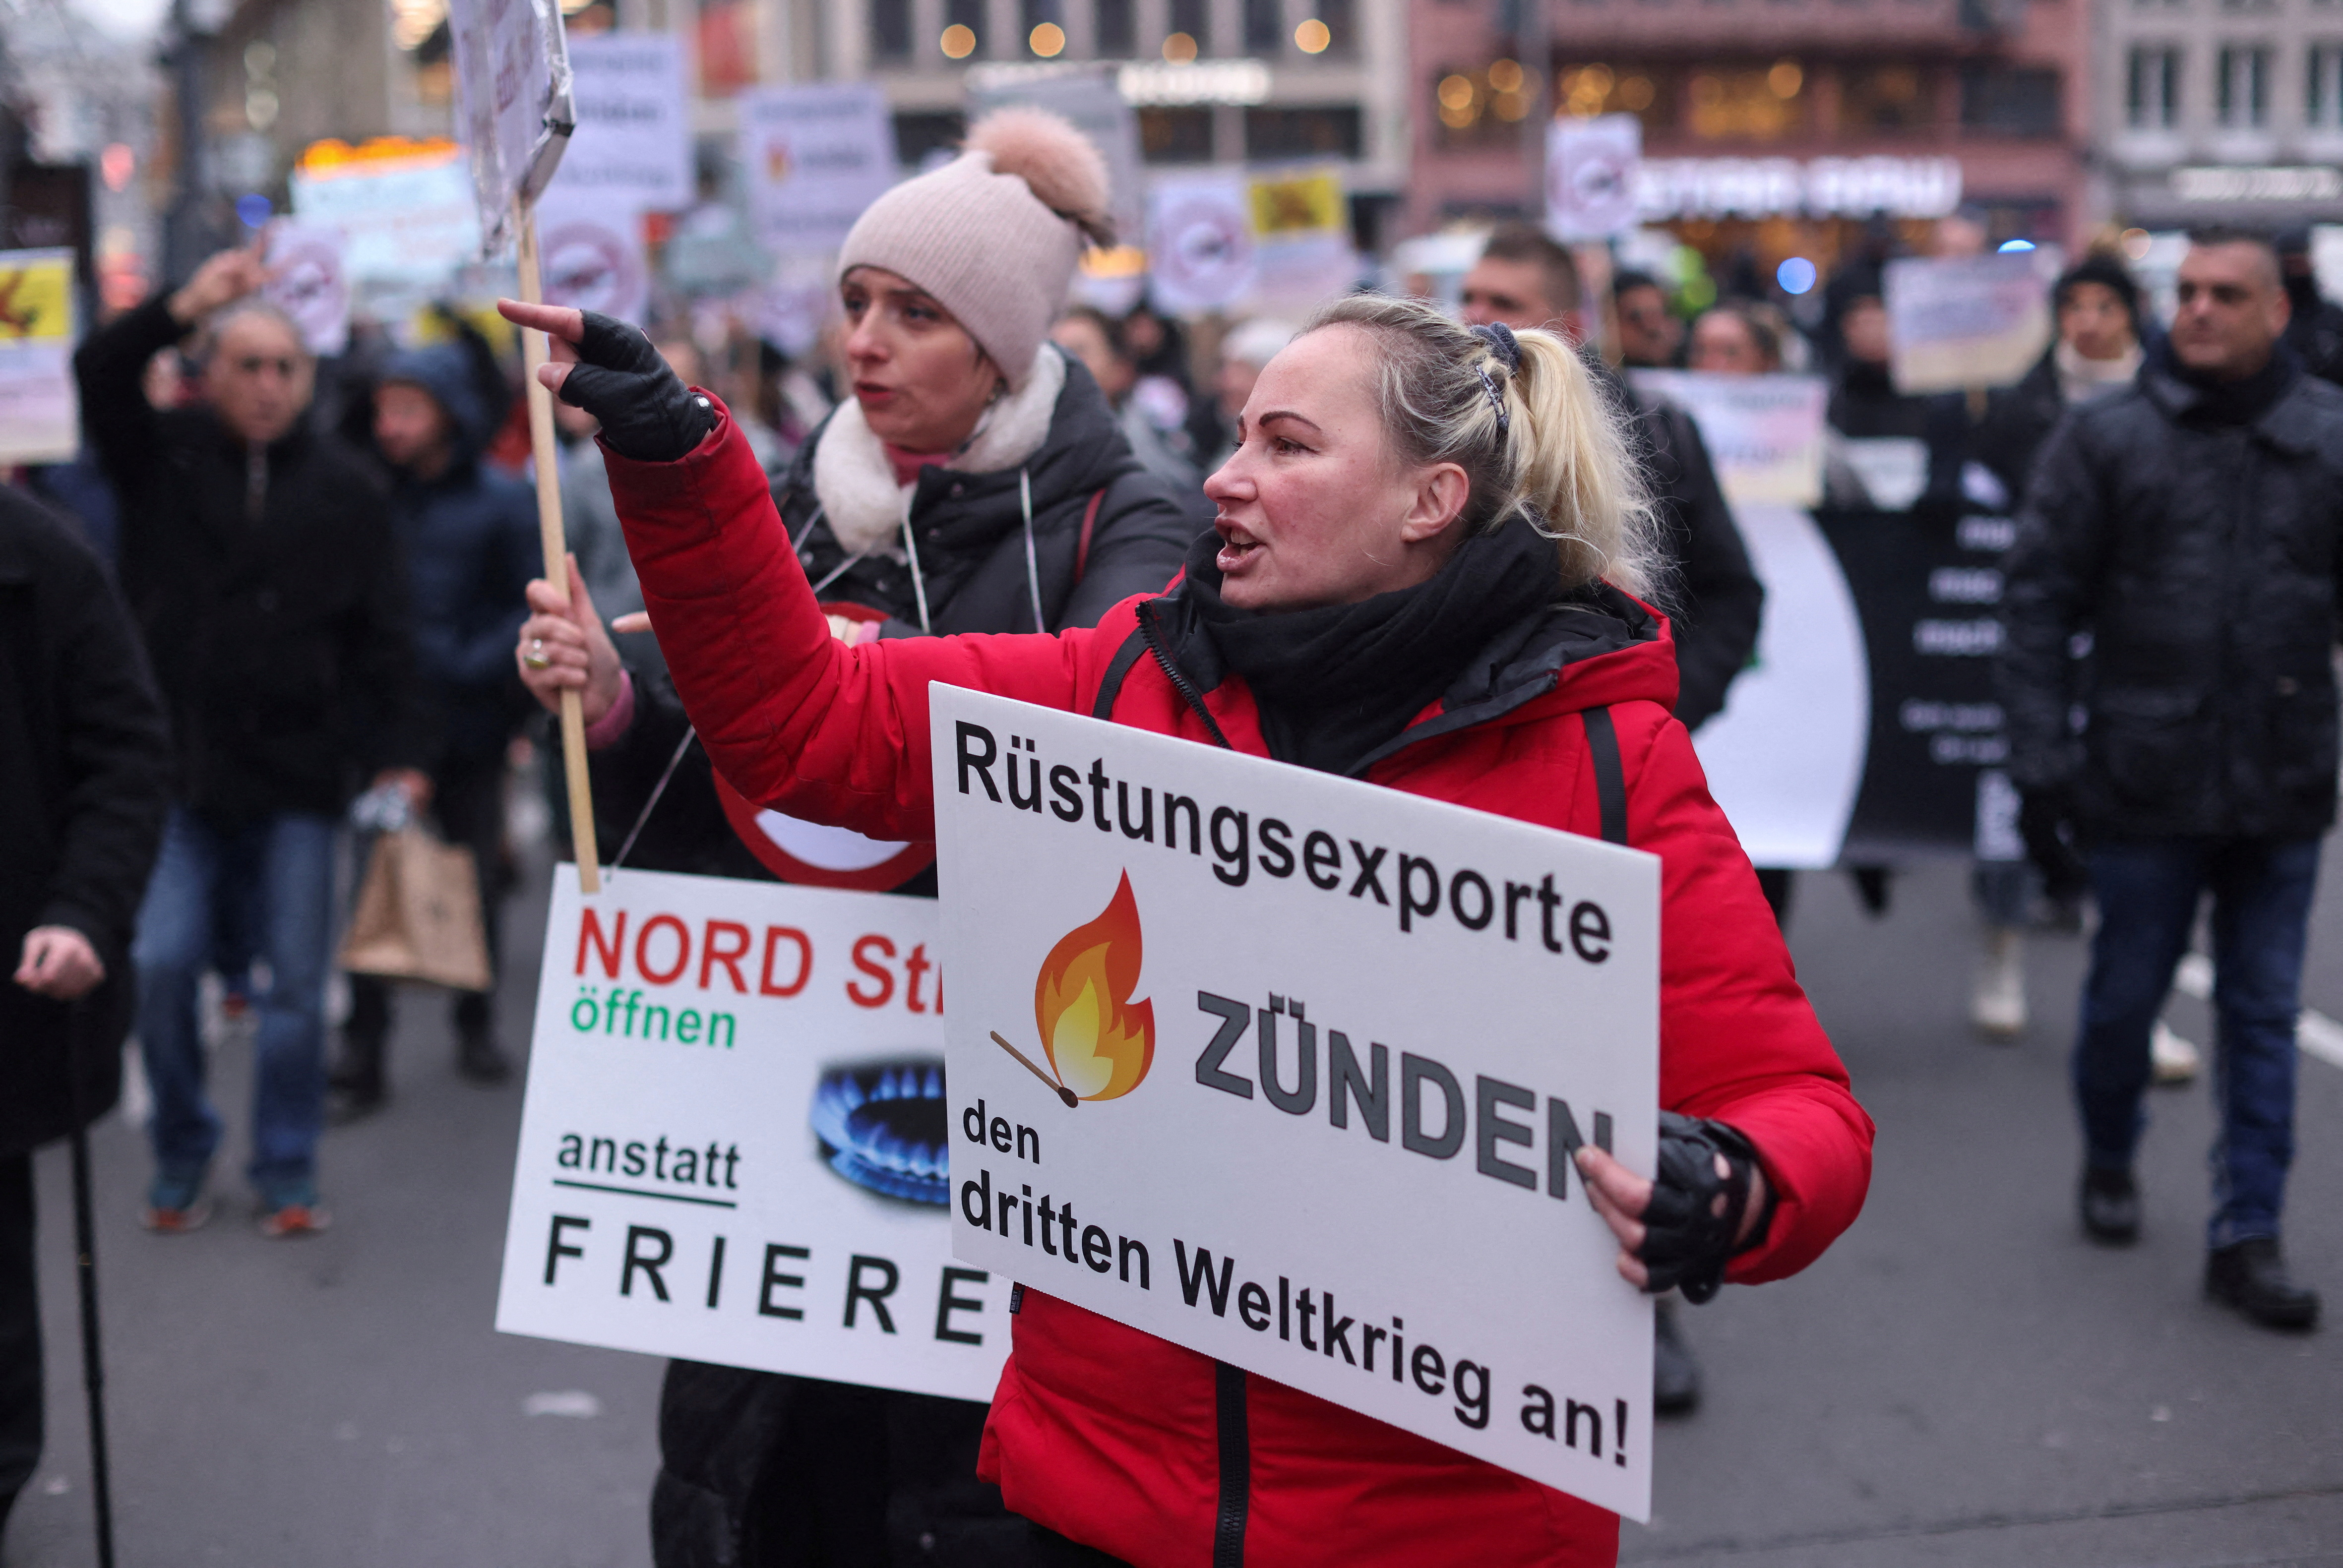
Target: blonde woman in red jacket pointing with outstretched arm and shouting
1423	573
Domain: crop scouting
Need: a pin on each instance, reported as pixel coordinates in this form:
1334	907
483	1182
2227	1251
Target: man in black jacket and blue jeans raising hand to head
261	568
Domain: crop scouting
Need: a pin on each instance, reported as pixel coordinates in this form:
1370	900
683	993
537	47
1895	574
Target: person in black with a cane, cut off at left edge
86	768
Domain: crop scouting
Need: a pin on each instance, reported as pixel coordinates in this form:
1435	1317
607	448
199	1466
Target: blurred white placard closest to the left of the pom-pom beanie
814	158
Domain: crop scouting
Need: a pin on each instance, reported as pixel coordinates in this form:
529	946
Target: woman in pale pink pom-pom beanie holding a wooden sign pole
974	482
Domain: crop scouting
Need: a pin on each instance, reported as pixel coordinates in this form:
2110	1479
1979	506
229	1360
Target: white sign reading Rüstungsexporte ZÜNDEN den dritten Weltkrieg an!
1299	1065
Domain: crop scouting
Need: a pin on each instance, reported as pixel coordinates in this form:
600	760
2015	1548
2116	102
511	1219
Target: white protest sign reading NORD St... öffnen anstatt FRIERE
732	1145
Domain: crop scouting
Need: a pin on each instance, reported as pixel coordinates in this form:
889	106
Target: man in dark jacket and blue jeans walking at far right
2192	526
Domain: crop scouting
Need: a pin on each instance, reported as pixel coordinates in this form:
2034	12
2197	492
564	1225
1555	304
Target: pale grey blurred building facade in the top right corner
2220	111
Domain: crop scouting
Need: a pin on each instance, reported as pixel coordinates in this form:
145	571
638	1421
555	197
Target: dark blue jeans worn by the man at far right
2147	897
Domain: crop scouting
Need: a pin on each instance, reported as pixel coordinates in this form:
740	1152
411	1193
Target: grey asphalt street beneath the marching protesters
1962	1379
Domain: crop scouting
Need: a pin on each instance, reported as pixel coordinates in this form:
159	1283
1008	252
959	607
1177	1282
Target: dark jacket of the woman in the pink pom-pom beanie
760	1468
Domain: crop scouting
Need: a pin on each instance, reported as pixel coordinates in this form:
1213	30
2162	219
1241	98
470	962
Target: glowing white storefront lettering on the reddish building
1789	186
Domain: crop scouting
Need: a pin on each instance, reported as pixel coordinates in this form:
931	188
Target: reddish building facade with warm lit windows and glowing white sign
1770	128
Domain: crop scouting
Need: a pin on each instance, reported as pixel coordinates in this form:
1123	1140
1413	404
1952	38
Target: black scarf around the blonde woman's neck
1339	681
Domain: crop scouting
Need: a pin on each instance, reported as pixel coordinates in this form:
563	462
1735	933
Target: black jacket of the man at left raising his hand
268	589
